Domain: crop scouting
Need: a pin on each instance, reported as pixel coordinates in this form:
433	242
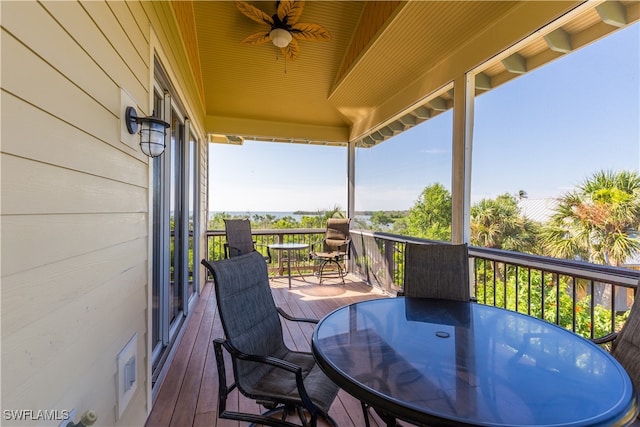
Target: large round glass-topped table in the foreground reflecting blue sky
436	362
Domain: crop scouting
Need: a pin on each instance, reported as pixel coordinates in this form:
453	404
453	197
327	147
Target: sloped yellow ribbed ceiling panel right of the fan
421	35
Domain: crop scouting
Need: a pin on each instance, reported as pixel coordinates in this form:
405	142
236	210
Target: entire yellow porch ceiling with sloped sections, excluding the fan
349	87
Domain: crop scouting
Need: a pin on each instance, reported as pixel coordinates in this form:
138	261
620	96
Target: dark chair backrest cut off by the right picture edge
626	346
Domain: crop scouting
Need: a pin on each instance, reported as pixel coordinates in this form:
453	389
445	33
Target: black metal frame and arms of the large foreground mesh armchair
275	404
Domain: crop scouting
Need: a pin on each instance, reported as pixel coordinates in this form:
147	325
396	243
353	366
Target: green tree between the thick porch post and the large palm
497	223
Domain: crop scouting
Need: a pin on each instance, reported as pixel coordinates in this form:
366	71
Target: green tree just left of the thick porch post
430	216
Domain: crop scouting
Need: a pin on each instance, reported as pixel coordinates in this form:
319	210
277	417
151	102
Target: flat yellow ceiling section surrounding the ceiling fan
255	83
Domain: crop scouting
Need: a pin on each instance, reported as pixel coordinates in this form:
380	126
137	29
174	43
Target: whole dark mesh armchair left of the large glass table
284	381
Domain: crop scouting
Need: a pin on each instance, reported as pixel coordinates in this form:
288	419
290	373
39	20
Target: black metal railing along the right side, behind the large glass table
591	300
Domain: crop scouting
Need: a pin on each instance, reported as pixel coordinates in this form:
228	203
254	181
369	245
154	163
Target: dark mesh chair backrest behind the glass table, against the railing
436	271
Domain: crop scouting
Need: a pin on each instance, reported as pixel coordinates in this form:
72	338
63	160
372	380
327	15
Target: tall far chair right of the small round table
334	248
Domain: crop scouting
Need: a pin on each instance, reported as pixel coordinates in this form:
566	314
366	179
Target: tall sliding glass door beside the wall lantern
174	198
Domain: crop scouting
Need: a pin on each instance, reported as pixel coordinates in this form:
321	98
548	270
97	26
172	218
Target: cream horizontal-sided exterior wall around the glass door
75	201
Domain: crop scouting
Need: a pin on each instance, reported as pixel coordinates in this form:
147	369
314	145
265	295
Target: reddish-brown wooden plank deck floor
189	393
